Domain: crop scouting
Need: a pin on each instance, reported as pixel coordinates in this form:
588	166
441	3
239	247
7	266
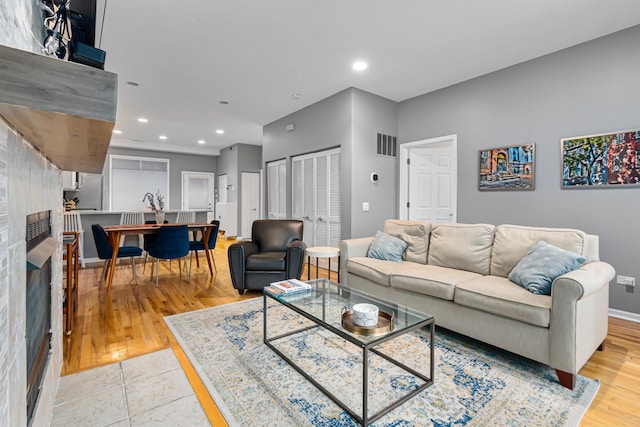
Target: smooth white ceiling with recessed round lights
189	55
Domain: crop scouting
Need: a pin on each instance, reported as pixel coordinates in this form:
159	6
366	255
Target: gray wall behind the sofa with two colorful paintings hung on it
587	89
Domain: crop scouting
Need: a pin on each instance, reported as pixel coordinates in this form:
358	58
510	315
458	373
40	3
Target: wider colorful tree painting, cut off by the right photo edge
605	160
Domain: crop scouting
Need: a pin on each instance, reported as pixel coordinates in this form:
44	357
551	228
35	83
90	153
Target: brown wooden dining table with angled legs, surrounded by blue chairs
115	232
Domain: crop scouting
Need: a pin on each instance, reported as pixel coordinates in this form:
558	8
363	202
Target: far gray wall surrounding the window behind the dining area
177	163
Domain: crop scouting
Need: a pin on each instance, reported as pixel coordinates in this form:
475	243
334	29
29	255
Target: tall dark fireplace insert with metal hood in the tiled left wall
40	247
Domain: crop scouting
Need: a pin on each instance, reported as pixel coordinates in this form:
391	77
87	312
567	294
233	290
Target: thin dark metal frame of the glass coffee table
324	288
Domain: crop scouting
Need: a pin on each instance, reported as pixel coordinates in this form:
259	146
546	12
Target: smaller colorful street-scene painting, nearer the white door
508	168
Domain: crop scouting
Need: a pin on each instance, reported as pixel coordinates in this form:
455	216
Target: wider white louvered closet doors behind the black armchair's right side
316	196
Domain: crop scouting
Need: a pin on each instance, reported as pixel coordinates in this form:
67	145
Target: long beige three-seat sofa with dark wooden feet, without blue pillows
459	274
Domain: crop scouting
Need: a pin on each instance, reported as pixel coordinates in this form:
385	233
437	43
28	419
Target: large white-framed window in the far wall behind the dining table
132	177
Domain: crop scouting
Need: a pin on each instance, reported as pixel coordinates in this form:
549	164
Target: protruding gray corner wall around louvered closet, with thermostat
349	119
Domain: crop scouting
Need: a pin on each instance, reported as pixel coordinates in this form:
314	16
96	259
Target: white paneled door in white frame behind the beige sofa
429	186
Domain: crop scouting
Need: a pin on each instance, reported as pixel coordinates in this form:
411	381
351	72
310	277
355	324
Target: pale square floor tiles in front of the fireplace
150	390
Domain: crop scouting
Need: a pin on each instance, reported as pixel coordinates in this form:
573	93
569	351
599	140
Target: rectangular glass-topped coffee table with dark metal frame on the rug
325	306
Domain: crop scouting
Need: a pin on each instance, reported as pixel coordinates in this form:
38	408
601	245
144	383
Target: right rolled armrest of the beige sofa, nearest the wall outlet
579	315
